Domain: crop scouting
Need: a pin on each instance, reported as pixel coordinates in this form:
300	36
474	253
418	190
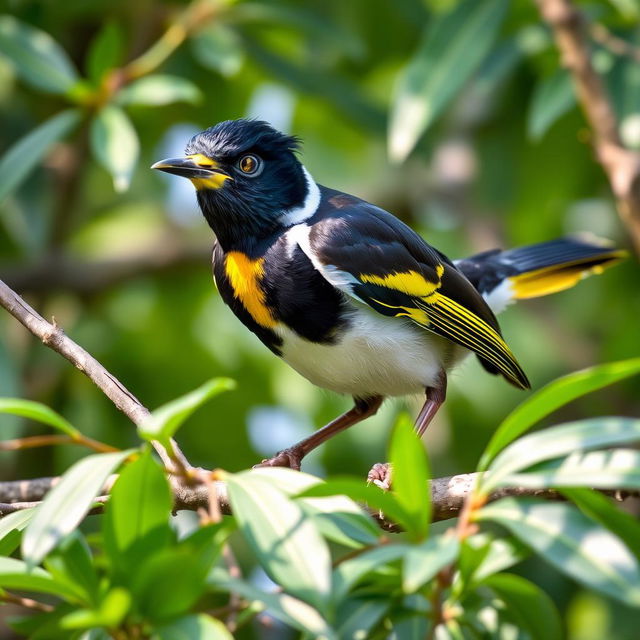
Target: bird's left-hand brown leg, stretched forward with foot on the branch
291	457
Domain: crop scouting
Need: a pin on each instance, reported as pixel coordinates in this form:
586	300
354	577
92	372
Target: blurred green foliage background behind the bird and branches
120	255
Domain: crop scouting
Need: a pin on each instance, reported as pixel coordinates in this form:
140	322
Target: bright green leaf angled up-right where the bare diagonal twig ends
167	419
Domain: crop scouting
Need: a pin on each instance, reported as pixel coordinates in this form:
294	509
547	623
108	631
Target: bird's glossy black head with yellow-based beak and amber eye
247	177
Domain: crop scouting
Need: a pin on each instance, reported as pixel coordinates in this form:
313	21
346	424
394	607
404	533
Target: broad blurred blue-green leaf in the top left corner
36	56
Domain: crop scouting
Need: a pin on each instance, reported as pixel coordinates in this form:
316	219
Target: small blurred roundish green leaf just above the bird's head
218	48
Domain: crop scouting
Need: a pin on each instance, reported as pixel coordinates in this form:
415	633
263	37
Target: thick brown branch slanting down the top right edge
621	165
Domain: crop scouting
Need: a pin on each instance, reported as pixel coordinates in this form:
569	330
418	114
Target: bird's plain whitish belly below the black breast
376	355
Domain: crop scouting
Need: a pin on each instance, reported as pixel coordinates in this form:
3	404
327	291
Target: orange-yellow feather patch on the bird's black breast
244	276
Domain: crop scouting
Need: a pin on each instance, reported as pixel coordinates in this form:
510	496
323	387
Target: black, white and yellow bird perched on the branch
345	292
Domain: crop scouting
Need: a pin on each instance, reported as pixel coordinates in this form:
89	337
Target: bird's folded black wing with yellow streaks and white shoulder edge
374	257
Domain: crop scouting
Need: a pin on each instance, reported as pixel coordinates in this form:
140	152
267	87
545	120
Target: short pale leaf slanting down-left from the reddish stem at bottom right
422	562
